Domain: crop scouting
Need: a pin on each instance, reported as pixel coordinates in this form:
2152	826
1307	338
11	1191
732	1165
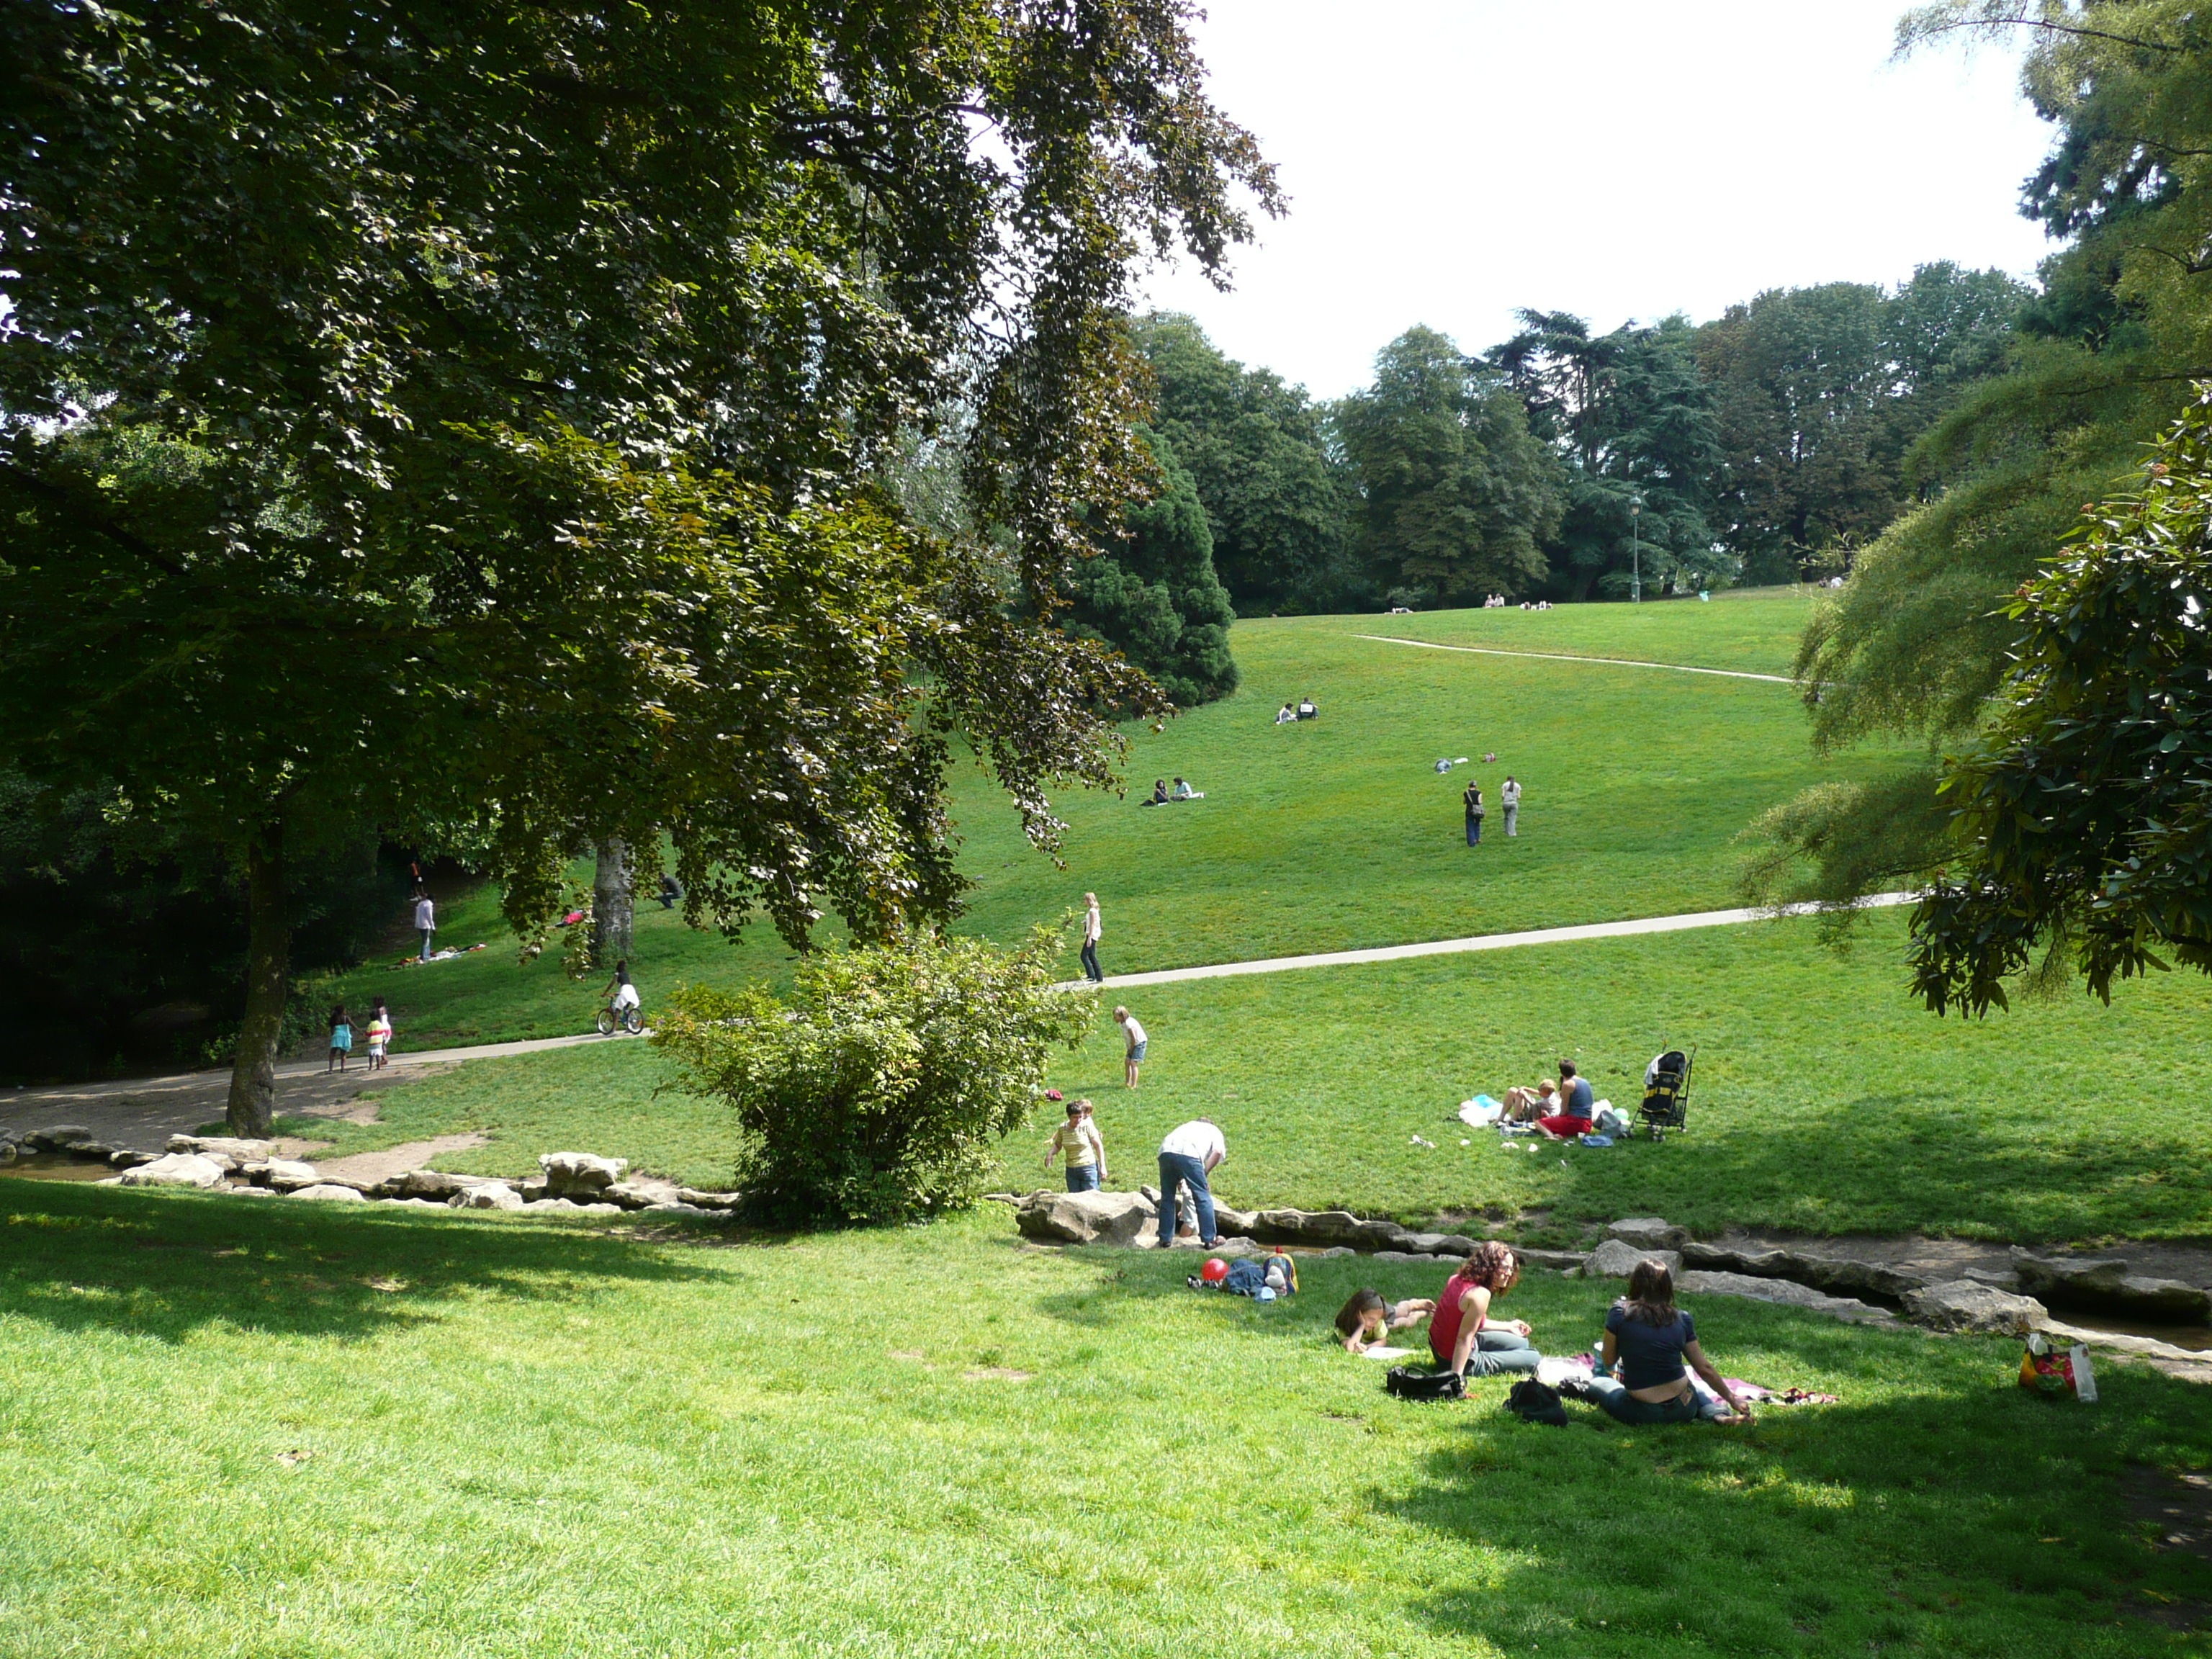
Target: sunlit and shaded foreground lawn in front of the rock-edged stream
273	1432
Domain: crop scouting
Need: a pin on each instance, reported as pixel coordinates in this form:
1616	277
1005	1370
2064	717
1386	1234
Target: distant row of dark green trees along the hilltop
1766	446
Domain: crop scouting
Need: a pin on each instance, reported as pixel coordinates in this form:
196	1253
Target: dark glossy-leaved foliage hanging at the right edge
2085	811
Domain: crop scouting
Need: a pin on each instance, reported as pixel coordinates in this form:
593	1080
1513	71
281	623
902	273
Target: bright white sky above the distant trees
1452	160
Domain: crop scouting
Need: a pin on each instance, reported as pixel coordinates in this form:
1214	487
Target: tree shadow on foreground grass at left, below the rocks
160	1264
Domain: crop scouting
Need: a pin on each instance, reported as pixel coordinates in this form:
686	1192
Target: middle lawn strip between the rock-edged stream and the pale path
1824	1100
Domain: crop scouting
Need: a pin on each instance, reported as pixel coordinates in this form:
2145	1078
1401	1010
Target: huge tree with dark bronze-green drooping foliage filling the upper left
468	417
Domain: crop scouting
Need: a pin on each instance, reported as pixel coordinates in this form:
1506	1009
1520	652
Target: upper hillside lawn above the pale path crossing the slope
1331	835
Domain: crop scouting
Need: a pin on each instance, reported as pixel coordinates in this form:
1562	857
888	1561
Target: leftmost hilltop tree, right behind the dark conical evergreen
1260	459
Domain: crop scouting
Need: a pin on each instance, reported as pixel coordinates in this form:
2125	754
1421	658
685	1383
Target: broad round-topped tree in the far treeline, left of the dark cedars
1457	494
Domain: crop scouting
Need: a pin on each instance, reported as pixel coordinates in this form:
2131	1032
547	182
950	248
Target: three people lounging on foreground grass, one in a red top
1640	1370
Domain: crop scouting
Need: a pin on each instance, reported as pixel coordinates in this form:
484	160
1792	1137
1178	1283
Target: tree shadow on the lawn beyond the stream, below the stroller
1895	1165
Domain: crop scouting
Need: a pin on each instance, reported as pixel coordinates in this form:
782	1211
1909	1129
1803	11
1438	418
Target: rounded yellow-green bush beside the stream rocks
884	1087
